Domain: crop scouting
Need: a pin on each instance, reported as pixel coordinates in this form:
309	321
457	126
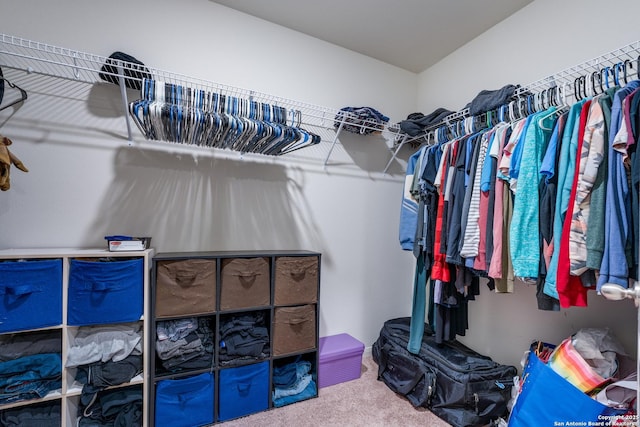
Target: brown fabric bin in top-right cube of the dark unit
296	280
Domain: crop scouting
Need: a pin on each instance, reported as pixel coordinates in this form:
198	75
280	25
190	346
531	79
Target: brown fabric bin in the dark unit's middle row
294	329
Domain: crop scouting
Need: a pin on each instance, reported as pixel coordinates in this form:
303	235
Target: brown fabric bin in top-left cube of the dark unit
185	287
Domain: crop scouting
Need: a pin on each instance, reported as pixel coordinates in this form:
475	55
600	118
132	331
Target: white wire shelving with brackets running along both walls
68	64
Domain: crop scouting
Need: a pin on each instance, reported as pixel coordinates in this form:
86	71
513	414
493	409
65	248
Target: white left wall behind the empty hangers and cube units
85	181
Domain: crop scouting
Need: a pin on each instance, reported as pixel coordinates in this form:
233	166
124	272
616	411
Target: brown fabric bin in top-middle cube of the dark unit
244	283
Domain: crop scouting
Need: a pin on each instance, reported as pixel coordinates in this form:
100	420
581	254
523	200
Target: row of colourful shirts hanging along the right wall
559	173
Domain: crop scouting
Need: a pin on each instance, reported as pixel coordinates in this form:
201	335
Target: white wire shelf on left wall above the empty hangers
63	63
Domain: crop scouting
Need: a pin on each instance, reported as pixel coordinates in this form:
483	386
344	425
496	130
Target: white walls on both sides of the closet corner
85	181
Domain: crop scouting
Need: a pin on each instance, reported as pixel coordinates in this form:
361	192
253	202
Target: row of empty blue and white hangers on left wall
191	116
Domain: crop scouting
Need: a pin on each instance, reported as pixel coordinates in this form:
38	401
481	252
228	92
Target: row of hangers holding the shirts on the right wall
527	103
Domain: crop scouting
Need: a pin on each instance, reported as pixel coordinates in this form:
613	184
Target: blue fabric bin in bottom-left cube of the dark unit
185	402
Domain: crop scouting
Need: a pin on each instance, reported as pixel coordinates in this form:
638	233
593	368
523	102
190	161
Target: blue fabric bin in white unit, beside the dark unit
105	292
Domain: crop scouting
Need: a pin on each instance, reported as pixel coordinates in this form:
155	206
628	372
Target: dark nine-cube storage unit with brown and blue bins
240	322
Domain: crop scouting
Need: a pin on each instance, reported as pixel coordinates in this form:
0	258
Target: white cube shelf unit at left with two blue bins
55	299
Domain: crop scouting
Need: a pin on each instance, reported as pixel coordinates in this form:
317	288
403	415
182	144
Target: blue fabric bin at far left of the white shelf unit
31	294
